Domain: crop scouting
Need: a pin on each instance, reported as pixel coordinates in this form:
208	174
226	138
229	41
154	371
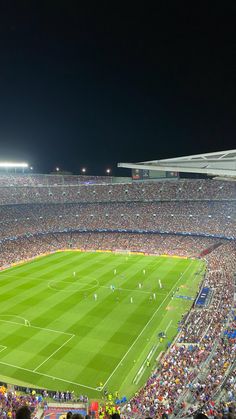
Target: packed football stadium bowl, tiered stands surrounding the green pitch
117	294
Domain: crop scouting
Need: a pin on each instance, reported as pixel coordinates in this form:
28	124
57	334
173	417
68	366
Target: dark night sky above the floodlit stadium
93	84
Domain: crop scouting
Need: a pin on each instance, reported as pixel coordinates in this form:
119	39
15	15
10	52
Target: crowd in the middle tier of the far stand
213	218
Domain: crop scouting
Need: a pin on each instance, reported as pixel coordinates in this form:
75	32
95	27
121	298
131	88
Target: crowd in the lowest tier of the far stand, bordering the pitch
12	251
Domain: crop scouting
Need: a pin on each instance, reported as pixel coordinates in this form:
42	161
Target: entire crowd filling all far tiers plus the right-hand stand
54	213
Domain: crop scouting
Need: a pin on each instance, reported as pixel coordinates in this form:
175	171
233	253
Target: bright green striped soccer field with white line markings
88	321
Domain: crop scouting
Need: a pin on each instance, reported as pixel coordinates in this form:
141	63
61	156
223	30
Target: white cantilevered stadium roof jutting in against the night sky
220	163
